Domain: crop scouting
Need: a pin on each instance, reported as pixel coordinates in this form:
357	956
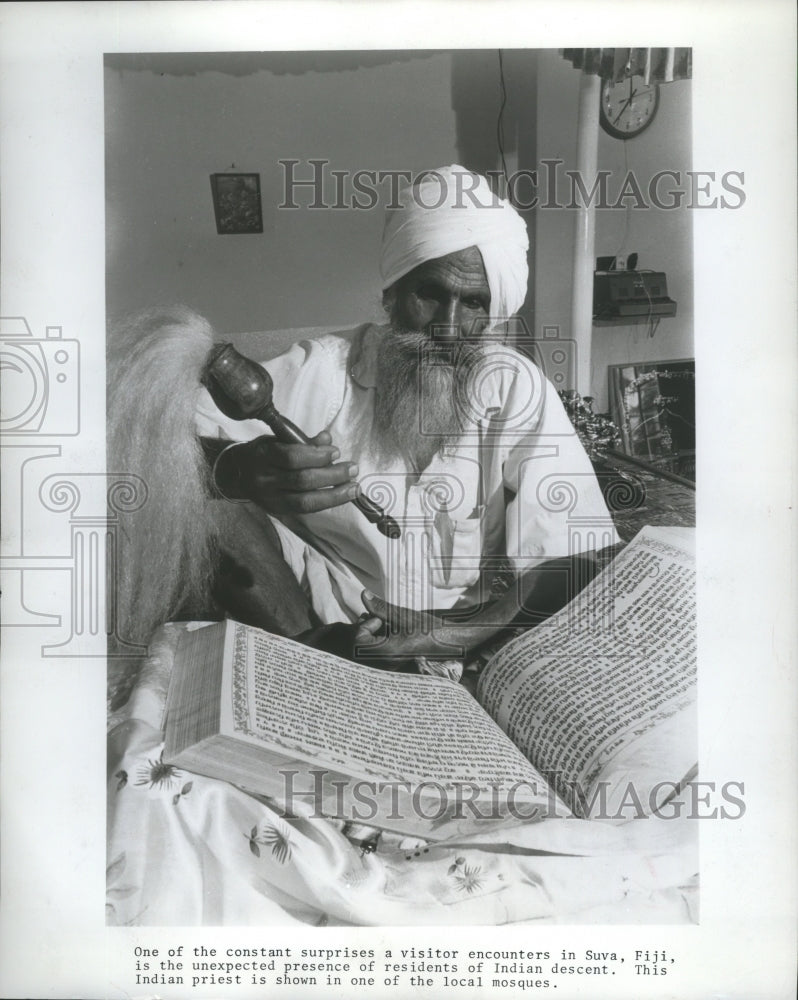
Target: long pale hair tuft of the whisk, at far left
167	548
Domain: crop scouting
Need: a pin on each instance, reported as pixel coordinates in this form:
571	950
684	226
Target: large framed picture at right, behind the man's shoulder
653	406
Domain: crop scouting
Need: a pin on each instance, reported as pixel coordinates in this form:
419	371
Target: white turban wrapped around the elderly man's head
450	209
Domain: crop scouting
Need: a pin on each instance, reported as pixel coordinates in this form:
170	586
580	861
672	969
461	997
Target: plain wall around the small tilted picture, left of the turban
169	130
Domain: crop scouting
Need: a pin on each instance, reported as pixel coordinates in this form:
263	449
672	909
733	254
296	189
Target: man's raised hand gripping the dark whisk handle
287	478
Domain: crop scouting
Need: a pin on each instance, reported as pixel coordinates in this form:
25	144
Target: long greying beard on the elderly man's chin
418	407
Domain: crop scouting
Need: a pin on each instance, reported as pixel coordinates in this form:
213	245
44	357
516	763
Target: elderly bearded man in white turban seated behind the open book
457	435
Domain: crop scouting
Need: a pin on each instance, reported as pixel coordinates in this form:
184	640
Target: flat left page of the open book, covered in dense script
367	723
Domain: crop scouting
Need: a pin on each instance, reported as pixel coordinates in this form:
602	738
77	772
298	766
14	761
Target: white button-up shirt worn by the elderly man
516	484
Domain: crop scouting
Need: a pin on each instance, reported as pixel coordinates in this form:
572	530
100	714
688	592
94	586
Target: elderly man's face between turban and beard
447	298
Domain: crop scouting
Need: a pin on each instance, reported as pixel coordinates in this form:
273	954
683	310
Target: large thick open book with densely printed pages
592	713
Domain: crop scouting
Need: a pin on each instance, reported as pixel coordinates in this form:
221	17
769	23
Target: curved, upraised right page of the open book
614	665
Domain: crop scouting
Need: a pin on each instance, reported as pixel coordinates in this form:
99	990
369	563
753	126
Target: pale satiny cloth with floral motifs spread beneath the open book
188	850
